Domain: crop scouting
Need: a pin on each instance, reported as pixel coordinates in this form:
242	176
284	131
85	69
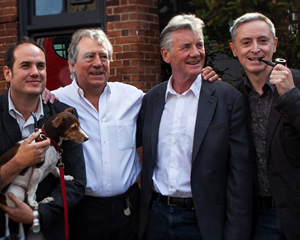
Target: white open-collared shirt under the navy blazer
172	172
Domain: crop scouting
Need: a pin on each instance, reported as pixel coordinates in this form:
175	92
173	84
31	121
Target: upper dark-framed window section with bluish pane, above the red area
40	16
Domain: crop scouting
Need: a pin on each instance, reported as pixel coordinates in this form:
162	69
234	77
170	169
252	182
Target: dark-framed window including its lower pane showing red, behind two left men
51	23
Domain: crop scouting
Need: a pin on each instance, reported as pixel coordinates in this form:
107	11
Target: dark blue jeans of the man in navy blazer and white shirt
172	223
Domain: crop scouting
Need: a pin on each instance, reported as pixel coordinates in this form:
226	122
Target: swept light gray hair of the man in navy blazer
182	21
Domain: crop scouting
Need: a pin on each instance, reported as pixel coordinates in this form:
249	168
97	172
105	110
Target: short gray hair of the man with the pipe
249	17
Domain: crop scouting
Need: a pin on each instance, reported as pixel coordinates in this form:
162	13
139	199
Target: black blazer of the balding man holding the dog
52	214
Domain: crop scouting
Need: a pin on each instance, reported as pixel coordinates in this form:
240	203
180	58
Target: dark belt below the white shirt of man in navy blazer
174	201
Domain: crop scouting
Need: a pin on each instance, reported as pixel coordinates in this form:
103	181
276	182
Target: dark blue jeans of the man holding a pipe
267	226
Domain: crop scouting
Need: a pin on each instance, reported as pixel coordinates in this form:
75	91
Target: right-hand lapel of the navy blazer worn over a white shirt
206	108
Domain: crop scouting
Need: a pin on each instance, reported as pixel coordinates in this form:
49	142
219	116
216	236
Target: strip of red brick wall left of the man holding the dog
8	32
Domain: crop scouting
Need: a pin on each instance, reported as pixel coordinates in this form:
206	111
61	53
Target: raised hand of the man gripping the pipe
282	78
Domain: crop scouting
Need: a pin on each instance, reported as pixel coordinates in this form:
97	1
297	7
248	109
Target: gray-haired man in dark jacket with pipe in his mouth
273	120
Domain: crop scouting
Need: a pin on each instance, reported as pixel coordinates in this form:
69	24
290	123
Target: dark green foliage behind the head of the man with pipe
218	16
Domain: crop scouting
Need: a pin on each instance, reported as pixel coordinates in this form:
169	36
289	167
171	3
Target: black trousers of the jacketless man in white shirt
103	218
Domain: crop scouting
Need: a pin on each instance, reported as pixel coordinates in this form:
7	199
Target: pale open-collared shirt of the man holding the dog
26	127
